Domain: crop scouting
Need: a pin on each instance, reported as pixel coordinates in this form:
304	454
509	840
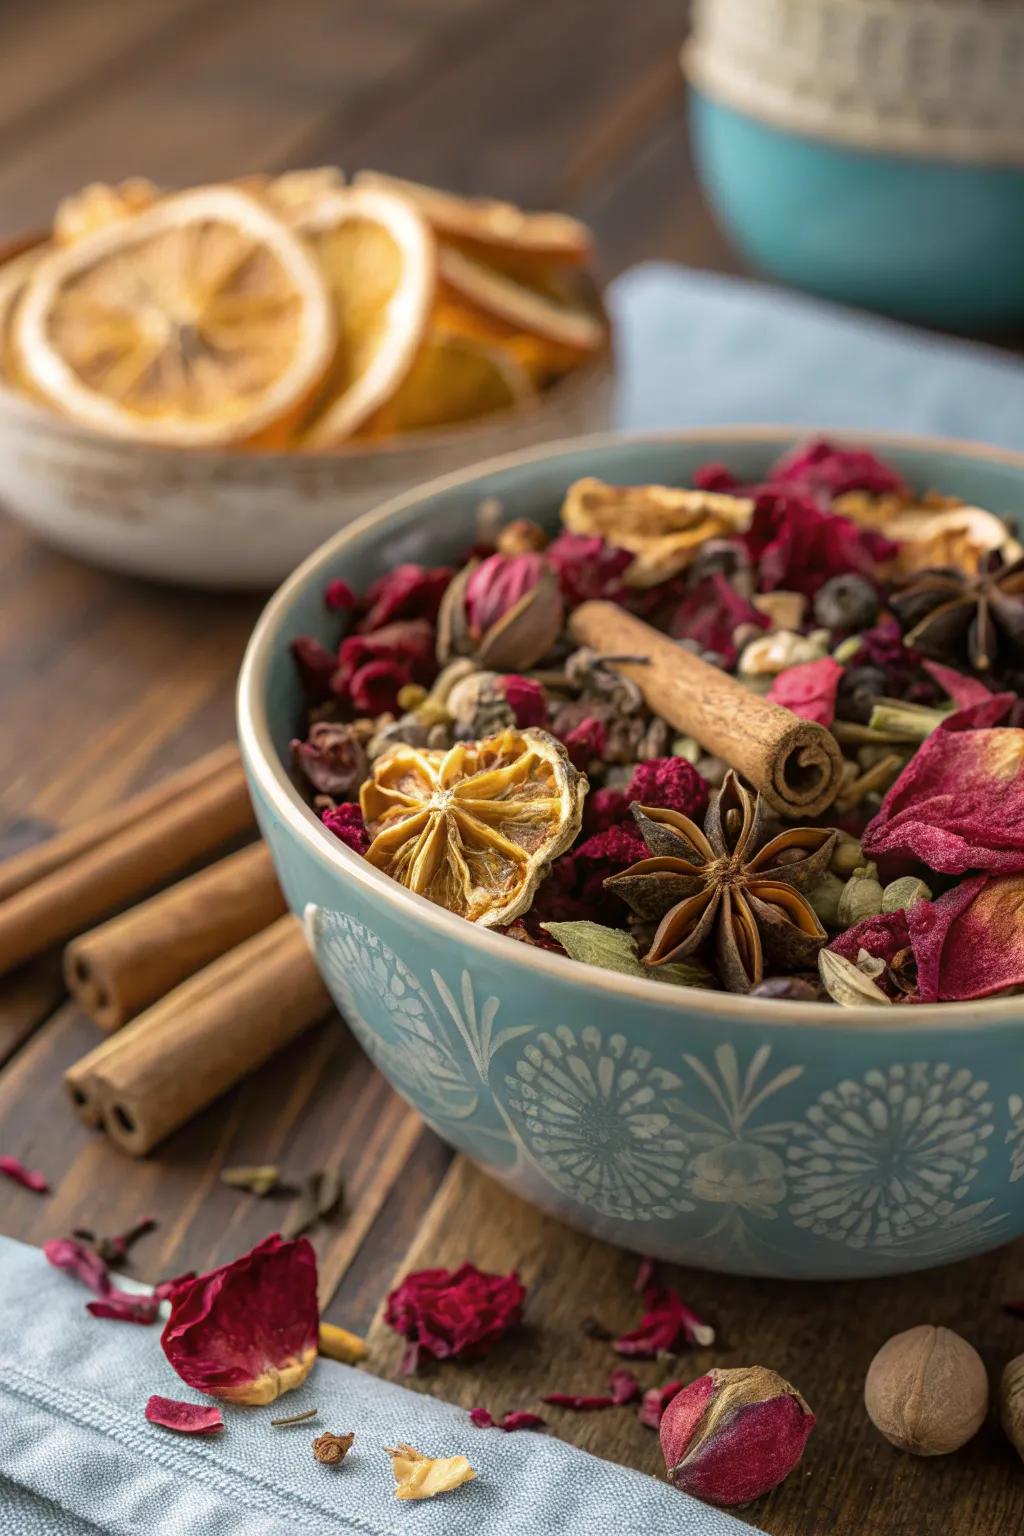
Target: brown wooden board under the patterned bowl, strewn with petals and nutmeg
822	1337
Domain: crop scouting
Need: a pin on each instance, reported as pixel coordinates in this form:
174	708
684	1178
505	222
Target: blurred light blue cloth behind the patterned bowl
698	349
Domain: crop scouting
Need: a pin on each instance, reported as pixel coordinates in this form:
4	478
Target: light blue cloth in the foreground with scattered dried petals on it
78	1457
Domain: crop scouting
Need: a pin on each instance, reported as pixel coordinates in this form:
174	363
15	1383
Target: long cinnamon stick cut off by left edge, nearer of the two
125	866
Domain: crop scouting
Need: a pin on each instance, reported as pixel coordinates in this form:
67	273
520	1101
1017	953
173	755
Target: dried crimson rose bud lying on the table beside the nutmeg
733	1435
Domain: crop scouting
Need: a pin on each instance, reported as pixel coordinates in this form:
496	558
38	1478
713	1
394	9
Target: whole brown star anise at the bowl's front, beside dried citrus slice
721	887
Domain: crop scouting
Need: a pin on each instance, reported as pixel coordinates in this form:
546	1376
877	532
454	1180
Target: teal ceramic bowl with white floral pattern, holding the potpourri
730	1133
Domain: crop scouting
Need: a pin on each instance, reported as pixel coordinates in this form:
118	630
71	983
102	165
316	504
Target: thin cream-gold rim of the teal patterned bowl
274	781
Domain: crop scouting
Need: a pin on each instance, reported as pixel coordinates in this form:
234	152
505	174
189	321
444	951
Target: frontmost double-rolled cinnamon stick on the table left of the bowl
196	1044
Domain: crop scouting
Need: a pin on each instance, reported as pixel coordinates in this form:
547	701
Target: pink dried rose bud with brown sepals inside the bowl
506	612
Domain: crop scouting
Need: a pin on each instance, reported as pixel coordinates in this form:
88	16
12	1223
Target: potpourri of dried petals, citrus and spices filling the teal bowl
464	743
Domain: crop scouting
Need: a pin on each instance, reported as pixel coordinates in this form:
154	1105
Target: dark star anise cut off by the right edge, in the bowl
953	615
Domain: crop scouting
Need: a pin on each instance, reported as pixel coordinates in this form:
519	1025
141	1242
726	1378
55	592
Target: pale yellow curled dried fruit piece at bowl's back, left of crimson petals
661	526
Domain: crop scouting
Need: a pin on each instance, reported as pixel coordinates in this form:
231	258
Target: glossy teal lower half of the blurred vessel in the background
928	240
